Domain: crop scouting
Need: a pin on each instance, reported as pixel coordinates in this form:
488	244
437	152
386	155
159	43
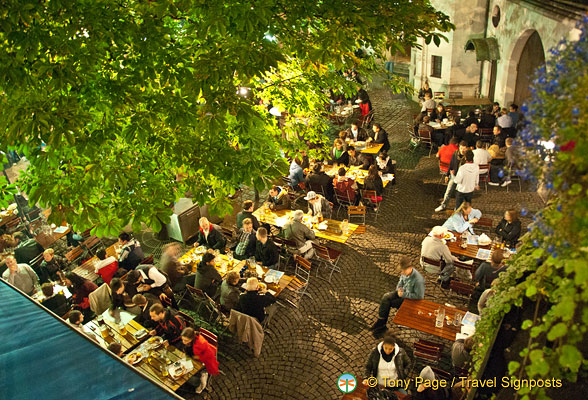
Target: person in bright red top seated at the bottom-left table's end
196	345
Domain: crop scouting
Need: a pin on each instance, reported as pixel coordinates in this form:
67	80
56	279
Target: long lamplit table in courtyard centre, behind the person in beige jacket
281	217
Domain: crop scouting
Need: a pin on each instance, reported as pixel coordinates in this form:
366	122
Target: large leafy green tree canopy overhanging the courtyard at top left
127	95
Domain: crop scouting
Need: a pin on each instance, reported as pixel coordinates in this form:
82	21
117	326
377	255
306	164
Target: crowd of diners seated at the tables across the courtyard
149	290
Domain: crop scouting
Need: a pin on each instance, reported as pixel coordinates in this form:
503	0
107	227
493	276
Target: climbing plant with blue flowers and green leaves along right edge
550	270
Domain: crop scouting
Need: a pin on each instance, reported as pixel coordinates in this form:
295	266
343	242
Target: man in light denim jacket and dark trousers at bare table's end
411	285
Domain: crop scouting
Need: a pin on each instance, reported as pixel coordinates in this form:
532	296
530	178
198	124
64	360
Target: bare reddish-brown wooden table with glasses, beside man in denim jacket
420	315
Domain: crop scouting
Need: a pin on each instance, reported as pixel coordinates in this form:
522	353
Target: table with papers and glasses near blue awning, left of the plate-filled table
127	341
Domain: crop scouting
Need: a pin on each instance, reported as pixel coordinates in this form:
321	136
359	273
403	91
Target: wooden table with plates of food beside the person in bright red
152	366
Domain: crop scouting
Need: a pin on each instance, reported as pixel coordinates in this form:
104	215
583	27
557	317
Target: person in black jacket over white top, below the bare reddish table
388	351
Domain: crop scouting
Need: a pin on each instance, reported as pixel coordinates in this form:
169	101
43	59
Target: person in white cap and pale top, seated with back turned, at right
435	249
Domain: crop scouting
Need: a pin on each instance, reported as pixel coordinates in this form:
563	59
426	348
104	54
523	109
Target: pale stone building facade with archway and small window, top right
495	48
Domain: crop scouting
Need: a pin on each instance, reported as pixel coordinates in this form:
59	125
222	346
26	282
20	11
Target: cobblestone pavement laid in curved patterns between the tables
309	347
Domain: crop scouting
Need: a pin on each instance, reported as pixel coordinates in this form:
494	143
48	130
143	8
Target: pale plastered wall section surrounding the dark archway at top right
516	25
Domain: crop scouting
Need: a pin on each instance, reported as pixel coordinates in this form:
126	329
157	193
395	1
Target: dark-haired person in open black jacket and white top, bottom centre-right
388	362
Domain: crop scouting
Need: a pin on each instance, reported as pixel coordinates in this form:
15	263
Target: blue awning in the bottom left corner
43	358
